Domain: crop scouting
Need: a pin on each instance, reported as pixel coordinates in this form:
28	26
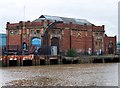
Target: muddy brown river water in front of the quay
61	75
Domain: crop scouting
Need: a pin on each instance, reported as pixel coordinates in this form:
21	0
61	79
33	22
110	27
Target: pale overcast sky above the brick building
98	12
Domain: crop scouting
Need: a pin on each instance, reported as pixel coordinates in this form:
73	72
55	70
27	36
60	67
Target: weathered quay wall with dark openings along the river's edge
34	60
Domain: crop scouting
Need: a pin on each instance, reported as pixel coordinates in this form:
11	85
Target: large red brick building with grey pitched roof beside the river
65	33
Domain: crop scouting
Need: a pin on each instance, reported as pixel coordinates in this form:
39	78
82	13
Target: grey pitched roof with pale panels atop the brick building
63	19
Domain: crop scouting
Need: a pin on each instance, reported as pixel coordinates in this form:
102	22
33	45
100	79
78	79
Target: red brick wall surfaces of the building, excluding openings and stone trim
82	36
